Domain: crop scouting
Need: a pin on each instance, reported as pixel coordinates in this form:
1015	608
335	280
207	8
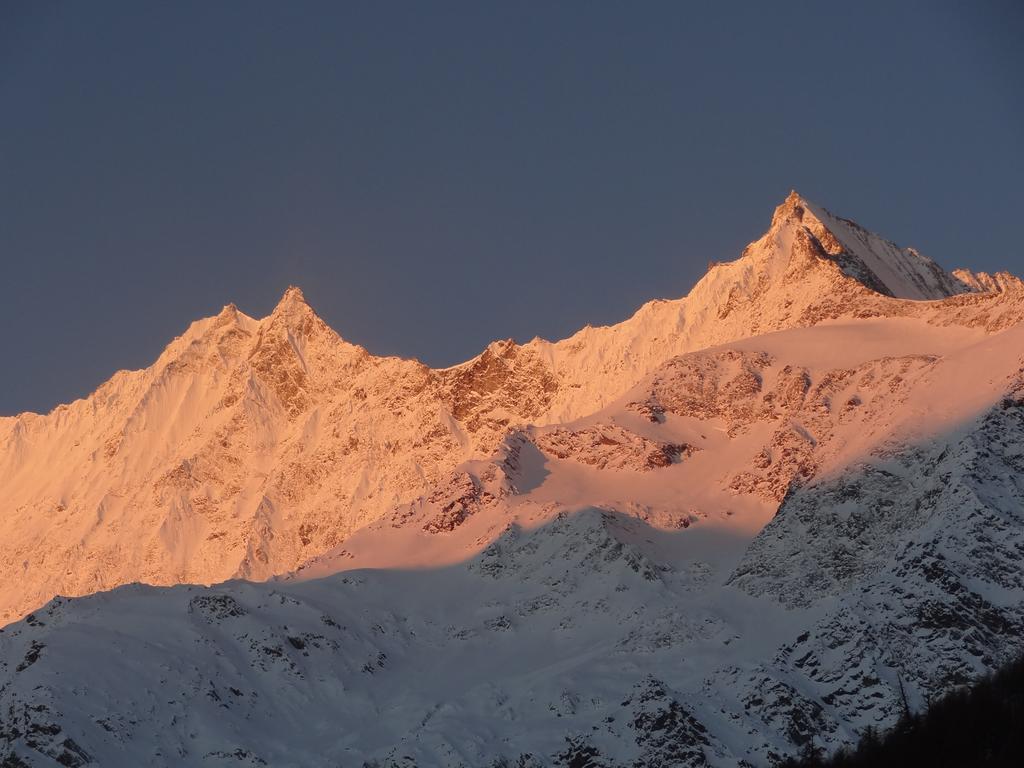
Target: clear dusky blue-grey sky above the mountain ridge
436	176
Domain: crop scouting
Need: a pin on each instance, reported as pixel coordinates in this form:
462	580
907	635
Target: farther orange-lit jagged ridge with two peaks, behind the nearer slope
251	447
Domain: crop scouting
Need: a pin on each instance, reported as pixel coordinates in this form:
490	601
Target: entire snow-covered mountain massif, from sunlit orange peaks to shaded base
695	538
